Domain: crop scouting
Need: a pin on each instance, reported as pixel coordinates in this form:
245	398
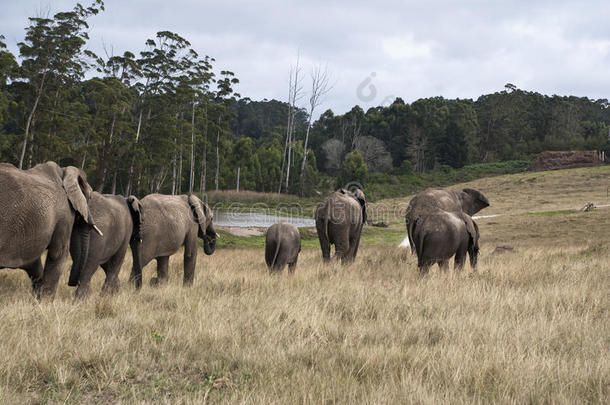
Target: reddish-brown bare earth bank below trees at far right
555	160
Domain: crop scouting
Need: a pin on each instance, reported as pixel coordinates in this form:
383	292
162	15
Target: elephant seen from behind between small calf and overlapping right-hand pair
339	221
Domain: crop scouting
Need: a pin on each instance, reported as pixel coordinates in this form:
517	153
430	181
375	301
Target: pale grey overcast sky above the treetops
376	51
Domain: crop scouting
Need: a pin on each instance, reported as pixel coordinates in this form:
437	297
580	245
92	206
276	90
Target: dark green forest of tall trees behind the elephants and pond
165	119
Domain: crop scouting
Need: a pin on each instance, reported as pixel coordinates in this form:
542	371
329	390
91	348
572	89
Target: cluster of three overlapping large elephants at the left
52	208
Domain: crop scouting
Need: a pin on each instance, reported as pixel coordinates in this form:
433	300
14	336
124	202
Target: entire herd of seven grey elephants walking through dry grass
53	209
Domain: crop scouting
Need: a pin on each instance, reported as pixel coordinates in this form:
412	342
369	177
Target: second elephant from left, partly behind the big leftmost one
120	219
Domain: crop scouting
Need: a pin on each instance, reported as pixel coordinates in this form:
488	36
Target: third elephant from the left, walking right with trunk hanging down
171	221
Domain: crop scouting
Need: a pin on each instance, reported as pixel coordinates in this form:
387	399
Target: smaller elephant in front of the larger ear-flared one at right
440	235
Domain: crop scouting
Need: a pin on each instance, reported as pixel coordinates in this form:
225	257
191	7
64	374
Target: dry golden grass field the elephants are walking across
530	326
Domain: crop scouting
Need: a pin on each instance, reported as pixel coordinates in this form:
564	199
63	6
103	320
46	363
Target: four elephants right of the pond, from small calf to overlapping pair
439	227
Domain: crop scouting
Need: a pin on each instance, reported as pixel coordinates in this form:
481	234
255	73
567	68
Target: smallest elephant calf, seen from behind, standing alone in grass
282	246
